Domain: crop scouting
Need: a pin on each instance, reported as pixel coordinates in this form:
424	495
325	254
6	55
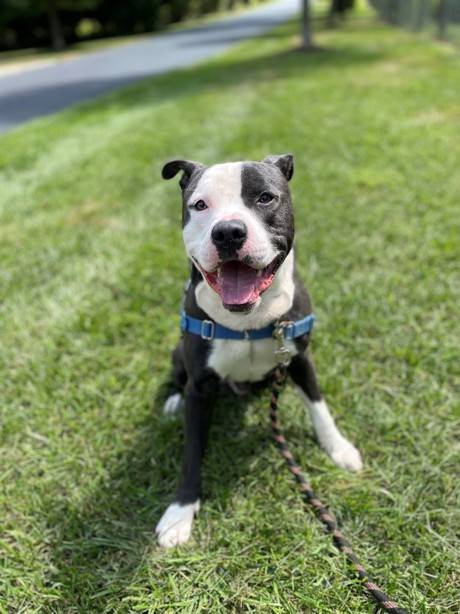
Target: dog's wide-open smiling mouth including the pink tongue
240	285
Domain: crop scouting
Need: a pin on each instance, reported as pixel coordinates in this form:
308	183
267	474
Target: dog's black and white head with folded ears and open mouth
237	224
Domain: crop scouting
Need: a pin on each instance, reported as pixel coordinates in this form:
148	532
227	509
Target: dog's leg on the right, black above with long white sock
341	451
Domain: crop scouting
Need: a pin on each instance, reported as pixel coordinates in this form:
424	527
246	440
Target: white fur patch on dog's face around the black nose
220	188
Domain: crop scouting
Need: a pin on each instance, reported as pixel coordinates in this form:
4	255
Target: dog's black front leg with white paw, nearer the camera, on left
176	523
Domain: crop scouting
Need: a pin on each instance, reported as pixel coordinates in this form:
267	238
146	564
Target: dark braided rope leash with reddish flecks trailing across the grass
383	601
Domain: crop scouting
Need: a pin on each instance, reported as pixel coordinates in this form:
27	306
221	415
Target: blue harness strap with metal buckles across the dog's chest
207	329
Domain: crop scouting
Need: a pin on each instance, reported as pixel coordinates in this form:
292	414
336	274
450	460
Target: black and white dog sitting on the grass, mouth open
238	231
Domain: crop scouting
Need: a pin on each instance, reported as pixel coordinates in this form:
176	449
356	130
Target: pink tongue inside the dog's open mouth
237	283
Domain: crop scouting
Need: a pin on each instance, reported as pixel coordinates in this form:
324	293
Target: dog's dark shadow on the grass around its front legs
100	545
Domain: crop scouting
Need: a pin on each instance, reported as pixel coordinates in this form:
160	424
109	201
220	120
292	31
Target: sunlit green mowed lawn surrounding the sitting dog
92	269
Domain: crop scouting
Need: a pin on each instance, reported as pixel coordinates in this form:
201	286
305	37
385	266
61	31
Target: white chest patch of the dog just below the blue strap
244	361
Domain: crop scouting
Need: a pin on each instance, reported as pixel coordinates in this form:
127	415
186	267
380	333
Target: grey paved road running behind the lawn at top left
41	91
